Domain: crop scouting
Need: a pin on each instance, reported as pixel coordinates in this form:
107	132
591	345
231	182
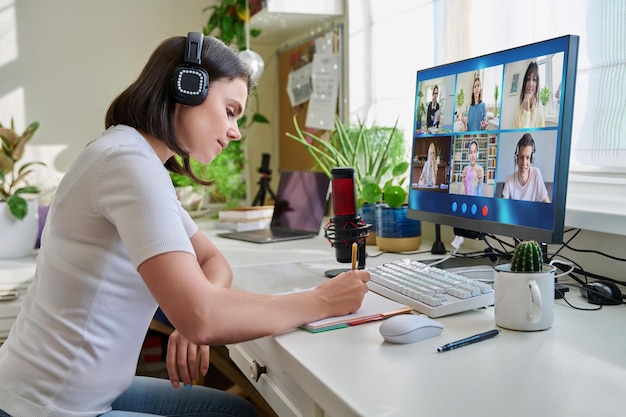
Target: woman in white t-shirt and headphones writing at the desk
117	244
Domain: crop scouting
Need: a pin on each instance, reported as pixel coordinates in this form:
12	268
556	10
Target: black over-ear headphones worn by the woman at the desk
190	82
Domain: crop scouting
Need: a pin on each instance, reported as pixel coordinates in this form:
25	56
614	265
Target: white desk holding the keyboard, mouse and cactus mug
577	368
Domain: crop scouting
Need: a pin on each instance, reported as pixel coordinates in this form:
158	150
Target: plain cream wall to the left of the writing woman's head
63	61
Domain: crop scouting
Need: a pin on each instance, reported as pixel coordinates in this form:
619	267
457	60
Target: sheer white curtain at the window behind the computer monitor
471	28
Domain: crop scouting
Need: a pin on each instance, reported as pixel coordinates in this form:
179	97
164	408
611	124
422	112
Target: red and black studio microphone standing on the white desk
346	226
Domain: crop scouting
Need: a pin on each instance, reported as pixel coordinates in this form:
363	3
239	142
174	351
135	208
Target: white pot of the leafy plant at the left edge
18	237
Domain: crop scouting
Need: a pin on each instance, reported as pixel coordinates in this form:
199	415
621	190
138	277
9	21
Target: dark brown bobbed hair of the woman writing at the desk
148	103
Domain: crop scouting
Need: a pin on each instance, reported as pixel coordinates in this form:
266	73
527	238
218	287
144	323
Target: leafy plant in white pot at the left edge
18	215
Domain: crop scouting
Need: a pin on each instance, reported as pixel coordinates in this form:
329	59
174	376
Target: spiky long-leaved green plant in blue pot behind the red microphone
372	152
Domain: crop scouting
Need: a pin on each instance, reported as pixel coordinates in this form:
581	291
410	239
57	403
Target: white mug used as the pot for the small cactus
524	300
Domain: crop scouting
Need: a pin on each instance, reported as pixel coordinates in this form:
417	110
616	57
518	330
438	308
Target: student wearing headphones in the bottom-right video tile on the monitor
526	183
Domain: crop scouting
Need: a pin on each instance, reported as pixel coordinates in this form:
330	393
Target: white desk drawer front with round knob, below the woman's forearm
281	392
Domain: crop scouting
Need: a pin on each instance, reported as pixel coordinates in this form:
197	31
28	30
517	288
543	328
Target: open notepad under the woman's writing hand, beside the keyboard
374	307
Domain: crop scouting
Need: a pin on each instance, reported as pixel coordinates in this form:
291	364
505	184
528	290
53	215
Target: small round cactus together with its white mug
524	290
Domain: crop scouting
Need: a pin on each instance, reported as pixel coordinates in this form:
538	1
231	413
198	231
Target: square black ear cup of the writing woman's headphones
190	84
